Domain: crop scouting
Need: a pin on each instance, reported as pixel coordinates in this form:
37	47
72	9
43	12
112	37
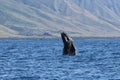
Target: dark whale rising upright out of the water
69	48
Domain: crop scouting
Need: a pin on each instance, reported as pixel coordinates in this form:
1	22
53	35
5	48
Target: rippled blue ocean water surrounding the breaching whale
96	59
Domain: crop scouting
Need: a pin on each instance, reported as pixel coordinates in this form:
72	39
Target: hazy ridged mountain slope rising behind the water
48	18
